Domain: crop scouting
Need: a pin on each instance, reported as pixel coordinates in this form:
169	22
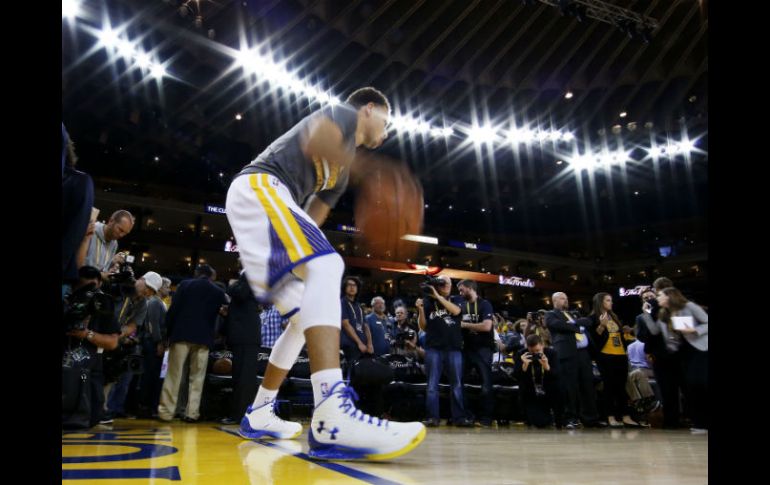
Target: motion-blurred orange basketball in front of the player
389	204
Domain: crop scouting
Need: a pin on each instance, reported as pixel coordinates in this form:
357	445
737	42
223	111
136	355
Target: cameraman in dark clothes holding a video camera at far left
90	327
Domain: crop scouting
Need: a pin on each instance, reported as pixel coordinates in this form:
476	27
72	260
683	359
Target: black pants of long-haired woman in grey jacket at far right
695	371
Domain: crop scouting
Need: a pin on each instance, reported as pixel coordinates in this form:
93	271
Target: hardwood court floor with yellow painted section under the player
137	452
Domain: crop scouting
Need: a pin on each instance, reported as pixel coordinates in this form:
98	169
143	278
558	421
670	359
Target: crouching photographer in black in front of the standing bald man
537	374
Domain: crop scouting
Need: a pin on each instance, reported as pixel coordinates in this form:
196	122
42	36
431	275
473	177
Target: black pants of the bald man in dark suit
577	384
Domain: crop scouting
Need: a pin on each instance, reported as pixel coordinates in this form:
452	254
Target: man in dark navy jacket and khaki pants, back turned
190	324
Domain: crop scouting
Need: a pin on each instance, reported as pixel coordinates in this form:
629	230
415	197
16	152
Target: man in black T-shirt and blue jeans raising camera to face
443	348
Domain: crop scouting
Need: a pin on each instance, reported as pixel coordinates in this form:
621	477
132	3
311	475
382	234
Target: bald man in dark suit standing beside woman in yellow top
570	340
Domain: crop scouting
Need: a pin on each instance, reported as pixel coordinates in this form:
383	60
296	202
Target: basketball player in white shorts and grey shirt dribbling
289	262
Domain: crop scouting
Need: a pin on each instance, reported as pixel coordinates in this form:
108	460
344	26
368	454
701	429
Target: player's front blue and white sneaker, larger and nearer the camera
340	431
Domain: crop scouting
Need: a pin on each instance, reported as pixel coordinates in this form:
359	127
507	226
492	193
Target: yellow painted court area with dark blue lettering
203	455
